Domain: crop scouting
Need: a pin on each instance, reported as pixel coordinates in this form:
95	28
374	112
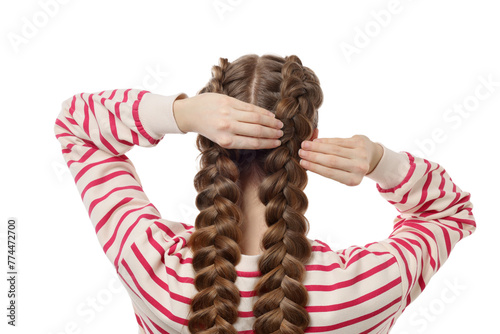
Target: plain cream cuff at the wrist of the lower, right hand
391	170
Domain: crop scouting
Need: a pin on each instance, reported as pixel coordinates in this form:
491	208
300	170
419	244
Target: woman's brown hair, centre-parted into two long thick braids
292	91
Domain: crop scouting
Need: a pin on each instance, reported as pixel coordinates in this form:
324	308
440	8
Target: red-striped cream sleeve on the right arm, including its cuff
434	214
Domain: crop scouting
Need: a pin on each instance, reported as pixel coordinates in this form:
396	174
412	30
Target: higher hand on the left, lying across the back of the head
227	121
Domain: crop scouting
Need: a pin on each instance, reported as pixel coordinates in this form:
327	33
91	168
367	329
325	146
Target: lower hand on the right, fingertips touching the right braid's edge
346	160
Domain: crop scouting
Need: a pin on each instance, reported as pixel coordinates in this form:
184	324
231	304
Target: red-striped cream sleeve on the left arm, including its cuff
95	132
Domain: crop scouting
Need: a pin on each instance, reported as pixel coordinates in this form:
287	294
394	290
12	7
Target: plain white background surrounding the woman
396	88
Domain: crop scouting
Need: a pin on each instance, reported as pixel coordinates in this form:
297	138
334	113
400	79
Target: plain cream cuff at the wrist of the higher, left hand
156	113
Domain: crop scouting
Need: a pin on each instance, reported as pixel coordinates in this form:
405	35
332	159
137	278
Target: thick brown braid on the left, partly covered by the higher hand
215	240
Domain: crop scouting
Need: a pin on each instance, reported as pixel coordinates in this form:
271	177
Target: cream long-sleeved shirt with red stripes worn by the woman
361	289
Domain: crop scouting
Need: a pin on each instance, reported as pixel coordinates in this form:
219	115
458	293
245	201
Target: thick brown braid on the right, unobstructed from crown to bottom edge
282	296
